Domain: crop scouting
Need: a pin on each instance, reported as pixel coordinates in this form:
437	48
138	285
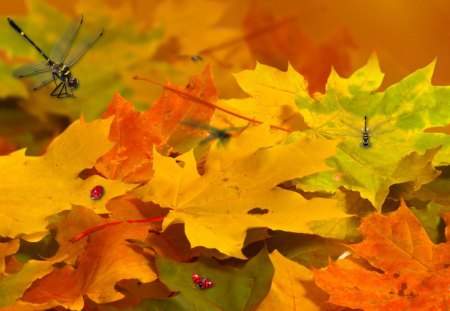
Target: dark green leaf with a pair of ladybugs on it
247	286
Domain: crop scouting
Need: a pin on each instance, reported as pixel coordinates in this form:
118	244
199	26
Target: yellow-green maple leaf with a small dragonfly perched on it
401	114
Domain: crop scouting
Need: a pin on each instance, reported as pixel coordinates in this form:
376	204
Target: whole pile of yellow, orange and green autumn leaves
255	215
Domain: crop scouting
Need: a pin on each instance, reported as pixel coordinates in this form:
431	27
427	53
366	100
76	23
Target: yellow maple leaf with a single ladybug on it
38	187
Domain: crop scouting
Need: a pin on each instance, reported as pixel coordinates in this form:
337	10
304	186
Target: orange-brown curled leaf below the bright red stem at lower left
106	259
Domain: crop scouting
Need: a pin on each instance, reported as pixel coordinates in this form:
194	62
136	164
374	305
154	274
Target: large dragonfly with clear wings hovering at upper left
56	68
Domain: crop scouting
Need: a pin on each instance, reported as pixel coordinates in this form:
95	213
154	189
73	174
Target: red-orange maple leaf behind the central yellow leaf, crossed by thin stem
136	132
